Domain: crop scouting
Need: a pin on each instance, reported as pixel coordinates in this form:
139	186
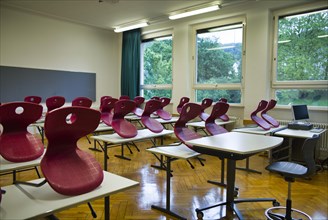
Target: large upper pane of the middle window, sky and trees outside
219	55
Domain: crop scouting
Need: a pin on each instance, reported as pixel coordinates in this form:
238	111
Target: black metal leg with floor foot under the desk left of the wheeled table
168	192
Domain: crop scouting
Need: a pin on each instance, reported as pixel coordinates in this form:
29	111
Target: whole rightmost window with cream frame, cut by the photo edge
300	61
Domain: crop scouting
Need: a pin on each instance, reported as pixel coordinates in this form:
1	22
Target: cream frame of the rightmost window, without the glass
293	84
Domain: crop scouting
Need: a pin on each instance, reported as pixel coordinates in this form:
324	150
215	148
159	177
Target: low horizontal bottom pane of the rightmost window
311	97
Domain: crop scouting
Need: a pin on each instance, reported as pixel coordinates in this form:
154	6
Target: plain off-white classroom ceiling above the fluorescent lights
109	14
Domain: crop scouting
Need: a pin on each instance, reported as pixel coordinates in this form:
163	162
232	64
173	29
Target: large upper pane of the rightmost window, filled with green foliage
303	47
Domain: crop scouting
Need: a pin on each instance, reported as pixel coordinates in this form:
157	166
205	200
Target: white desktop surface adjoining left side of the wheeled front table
181	151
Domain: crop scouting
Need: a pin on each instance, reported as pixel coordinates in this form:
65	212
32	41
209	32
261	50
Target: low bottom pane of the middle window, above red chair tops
233	96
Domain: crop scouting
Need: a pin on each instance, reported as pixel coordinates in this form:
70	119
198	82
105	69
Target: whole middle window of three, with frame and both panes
218	62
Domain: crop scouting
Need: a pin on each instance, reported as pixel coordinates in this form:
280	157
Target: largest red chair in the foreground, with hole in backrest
68	169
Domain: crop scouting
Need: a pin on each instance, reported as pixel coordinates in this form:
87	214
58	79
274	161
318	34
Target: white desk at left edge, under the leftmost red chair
7	166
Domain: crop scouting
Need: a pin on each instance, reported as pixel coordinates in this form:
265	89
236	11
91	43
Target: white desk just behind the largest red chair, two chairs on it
114	140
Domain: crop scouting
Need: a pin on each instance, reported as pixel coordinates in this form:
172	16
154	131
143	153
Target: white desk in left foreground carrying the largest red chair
26	202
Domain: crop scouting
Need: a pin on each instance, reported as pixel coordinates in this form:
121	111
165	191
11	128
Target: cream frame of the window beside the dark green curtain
149	37
